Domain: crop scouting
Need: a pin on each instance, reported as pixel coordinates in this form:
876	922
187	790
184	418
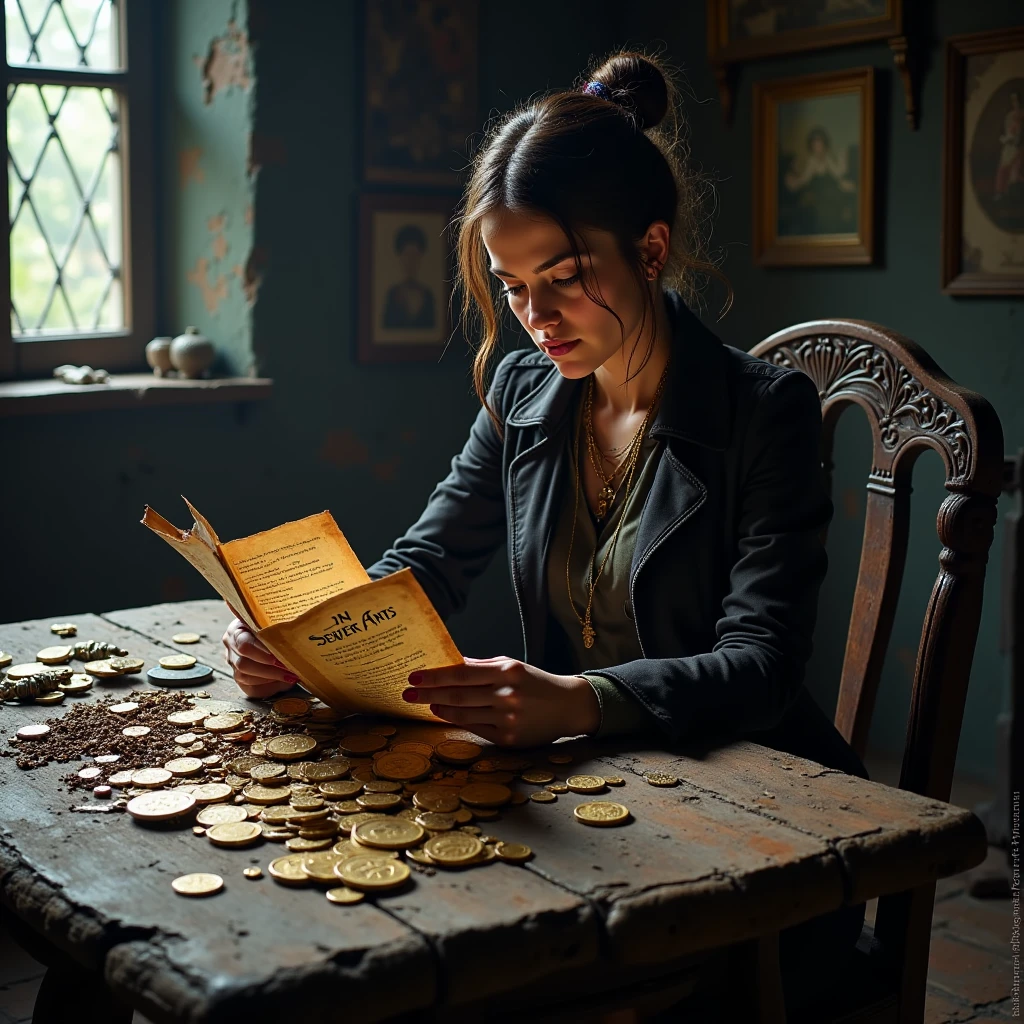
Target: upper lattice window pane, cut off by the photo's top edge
63	33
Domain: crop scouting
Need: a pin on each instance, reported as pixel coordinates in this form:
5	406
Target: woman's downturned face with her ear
530	254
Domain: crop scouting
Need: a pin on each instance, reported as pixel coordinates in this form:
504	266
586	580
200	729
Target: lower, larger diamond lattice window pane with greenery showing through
65	169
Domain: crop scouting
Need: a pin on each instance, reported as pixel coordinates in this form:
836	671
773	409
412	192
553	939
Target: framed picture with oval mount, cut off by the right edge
984	165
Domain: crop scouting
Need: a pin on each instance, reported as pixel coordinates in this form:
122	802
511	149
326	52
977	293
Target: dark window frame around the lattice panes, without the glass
114	351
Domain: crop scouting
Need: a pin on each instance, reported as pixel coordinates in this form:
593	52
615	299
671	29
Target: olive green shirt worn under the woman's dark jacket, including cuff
612	617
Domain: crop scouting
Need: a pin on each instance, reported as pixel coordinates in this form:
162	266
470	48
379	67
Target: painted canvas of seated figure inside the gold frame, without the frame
819	160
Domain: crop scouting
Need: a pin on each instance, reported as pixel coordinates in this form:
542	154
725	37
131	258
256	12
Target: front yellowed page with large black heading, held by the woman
358	650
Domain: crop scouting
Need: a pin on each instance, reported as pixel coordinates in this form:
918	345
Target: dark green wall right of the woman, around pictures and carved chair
976	340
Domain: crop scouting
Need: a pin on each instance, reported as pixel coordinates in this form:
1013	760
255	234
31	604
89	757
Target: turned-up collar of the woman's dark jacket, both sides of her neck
696	406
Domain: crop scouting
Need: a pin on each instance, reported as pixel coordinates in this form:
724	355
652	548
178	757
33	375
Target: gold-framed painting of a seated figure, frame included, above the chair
815	169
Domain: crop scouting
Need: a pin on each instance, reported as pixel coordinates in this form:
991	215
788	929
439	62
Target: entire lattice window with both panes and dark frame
78	273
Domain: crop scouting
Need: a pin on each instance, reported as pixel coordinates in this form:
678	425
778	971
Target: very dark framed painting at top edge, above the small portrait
420	90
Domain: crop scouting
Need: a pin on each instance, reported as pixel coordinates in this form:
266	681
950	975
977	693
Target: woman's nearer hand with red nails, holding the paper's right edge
507	702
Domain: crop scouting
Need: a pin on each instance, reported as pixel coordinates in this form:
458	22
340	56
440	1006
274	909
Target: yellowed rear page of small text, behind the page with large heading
284	572
